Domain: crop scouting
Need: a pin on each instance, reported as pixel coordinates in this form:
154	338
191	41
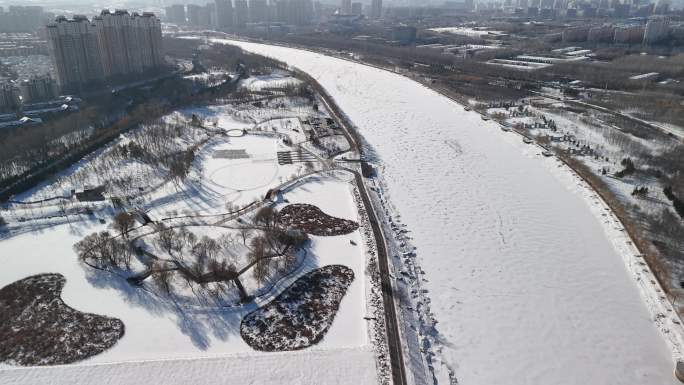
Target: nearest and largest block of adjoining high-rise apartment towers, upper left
113	45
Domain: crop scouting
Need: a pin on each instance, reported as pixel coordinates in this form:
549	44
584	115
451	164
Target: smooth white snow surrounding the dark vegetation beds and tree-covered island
156	329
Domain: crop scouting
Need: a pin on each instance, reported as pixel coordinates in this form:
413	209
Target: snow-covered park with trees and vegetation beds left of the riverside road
192	334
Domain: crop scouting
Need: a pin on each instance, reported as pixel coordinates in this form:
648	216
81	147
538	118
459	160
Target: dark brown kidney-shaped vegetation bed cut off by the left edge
38	328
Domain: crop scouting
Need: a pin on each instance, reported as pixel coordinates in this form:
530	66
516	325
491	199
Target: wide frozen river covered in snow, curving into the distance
525	276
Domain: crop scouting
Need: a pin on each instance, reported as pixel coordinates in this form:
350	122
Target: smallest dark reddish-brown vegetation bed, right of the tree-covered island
312	220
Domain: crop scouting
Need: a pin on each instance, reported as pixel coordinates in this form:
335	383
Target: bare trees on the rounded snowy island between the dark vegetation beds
203	261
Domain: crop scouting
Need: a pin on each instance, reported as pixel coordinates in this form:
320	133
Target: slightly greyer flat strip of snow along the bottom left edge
330	367
